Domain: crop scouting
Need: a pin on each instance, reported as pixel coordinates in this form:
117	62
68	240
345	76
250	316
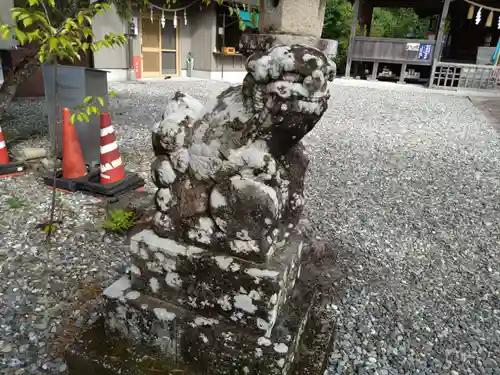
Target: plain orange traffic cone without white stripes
73	164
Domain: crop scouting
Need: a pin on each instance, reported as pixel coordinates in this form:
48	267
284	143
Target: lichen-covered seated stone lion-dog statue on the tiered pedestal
231	174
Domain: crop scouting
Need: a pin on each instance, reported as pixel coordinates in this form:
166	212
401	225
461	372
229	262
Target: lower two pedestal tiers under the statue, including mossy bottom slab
140	340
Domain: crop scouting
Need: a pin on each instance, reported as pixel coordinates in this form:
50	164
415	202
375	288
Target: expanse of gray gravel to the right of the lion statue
409	184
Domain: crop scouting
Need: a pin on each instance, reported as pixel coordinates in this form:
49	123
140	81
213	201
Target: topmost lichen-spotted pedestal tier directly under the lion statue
247	293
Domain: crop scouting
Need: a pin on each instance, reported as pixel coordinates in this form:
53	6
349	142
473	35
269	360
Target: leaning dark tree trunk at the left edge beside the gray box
20	73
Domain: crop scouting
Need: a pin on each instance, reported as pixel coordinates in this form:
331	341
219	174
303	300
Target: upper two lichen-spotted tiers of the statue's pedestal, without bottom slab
211	311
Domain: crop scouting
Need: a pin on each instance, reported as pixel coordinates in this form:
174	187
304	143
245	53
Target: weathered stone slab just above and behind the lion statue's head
252	43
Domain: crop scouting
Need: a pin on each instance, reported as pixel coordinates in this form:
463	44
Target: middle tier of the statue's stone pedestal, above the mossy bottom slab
205	342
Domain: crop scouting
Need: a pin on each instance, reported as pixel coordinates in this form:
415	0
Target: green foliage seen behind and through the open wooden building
386	23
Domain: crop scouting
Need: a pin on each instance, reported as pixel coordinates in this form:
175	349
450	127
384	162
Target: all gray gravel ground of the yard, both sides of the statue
405	182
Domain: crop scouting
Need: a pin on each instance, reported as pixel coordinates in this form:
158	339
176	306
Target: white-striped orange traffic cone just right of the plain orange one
112	168
